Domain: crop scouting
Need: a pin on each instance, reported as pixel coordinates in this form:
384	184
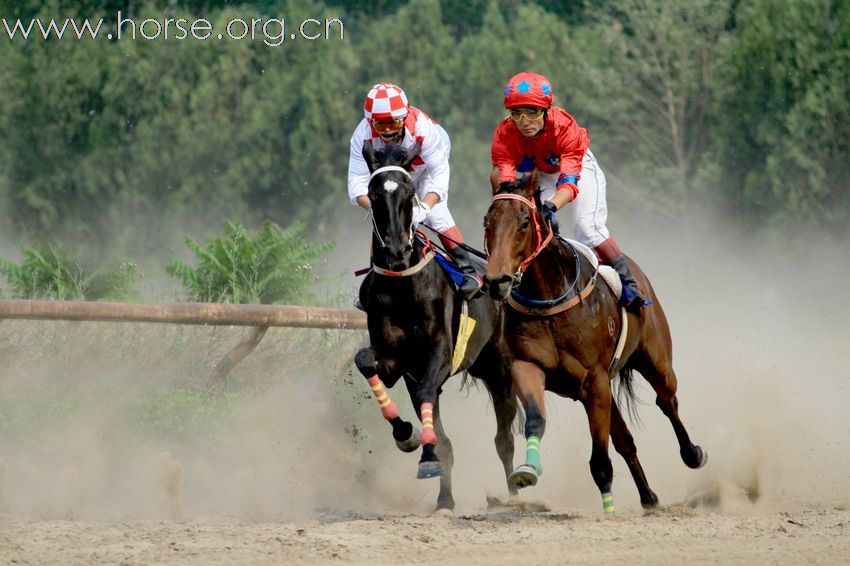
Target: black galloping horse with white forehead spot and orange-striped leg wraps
420	330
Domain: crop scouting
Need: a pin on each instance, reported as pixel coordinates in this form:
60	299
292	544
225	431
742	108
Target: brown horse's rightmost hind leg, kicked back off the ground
662	378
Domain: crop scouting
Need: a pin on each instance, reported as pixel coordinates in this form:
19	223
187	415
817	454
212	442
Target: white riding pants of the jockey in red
590	210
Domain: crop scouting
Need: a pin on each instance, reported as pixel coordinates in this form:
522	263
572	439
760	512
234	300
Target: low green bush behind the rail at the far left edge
48	272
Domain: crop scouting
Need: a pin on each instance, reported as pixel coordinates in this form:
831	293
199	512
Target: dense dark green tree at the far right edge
784	120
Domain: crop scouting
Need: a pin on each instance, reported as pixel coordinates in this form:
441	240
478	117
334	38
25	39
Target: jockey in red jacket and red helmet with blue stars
540	136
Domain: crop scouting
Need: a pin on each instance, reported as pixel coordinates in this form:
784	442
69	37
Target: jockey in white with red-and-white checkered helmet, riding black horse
388	118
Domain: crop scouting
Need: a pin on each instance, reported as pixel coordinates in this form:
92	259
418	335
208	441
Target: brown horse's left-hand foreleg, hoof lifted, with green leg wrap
530	383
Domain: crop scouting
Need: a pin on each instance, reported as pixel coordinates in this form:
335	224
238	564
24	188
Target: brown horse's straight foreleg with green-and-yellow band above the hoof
597	400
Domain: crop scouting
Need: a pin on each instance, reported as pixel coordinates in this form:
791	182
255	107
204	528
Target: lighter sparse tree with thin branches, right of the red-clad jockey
647	71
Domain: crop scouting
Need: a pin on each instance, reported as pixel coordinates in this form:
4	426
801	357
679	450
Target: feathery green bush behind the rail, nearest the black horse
270	265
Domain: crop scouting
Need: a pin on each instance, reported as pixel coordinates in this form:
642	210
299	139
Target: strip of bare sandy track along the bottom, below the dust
670	536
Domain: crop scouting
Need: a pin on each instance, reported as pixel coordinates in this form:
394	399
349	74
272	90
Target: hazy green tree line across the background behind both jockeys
740	101
